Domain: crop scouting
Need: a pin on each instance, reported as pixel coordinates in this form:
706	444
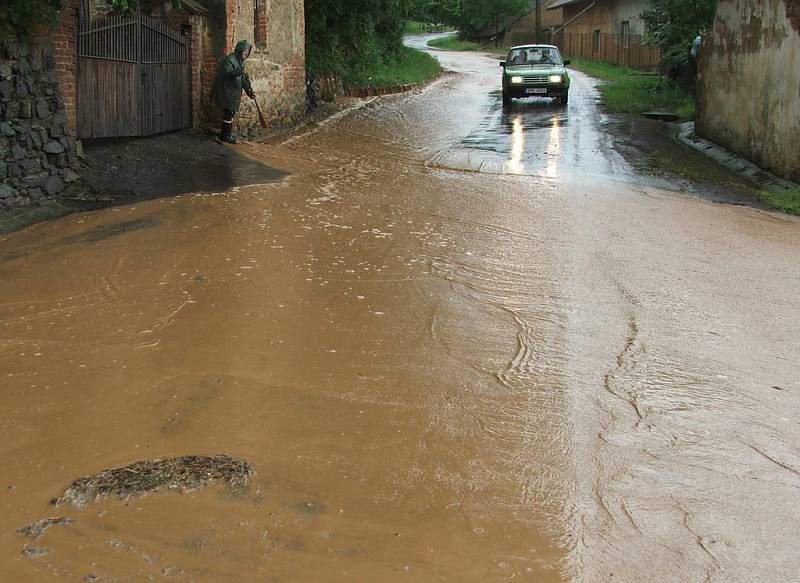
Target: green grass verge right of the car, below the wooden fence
626	90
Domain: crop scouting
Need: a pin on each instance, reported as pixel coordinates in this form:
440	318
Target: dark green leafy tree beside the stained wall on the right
672	26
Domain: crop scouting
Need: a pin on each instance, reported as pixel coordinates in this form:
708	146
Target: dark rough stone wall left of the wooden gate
37	157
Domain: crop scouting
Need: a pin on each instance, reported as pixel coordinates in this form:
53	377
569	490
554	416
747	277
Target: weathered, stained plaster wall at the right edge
748	96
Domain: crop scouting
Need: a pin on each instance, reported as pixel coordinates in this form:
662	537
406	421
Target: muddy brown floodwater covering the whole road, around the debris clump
455	344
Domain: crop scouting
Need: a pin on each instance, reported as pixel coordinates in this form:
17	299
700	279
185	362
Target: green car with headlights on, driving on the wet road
535	71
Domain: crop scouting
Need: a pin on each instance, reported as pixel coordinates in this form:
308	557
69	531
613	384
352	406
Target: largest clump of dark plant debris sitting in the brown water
181	473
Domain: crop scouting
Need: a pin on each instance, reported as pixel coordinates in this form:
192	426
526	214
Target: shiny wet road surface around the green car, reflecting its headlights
536	136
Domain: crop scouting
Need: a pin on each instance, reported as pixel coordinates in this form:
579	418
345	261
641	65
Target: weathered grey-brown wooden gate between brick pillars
133	77
